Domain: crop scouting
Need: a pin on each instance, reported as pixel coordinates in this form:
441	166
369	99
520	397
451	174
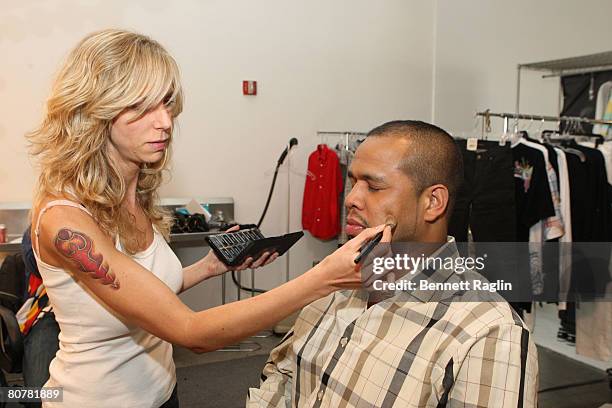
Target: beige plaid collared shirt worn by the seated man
417	349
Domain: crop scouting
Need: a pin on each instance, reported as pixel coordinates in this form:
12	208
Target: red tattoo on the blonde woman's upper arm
79	247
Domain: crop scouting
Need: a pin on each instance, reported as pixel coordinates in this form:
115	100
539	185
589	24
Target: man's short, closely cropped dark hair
432	156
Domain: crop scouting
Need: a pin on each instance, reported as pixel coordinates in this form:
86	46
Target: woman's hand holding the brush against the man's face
339	270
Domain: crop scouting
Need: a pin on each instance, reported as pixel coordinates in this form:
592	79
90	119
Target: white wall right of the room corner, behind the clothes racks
480	42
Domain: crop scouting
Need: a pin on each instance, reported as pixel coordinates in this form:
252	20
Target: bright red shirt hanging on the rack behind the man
320	212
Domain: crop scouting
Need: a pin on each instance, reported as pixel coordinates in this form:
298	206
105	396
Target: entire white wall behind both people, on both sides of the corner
320	65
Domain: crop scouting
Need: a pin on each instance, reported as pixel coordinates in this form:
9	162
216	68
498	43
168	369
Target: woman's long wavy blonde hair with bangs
108	72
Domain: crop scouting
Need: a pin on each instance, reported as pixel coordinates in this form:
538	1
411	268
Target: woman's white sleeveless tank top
102	360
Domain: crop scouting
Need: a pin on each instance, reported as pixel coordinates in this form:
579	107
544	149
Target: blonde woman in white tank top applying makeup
99	238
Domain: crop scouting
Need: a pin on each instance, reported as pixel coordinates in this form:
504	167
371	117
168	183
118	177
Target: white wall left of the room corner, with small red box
320	65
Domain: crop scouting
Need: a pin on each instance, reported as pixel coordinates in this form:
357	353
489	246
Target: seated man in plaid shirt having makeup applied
419	348
